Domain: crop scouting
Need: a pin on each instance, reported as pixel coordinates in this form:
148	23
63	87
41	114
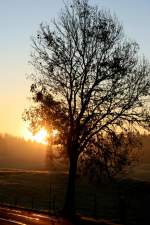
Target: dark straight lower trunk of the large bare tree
69	207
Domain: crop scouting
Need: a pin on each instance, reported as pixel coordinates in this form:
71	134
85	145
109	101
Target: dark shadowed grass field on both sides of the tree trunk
46	191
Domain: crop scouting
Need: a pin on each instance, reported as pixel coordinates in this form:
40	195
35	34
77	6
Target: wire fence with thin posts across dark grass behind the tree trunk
120	205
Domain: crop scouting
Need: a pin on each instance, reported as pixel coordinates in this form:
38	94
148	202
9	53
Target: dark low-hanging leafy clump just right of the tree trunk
111	156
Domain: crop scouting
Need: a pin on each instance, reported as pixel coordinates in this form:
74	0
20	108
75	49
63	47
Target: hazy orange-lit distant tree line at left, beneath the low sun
15	152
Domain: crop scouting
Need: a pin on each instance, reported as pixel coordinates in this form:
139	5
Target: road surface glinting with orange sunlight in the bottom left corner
10	216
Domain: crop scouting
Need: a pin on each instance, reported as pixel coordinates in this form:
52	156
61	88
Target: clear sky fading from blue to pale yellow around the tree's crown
20	19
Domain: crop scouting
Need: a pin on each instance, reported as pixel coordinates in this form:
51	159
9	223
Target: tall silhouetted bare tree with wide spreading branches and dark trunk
93	78
